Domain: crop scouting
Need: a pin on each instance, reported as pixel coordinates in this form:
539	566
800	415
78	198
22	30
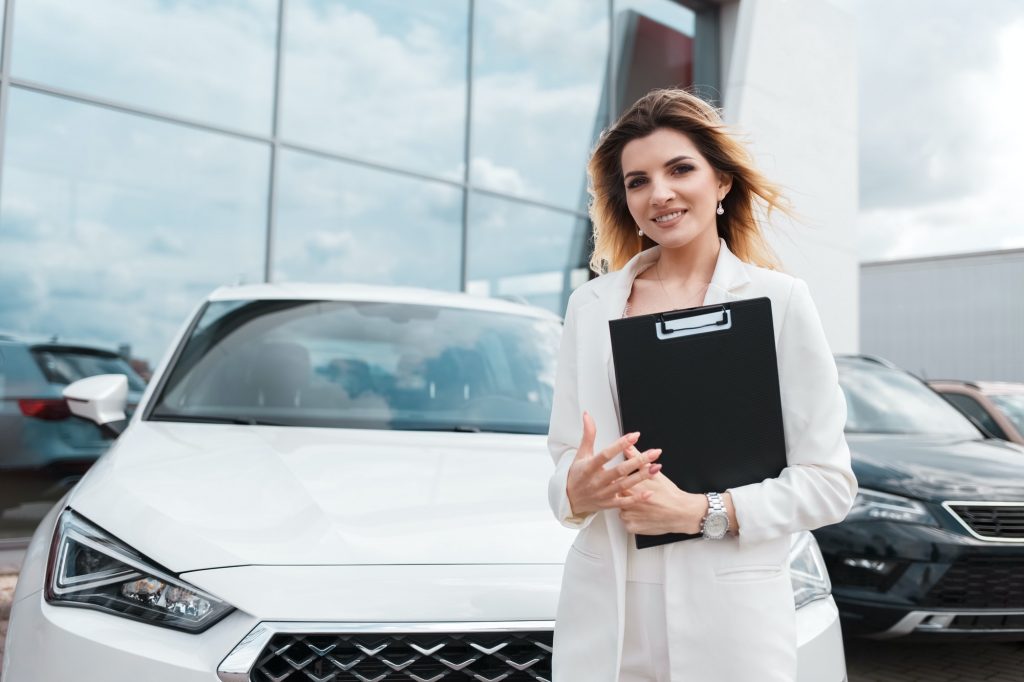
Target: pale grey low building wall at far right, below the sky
948	318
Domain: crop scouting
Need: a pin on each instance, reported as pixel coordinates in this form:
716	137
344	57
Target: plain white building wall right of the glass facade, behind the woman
790	83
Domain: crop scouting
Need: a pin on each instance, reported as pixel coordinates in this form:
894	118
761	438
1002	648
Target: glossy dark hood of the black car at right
936	470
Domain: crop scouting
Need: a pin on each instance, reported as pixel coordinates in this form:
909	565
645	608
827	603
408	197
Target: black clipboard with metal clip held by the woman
703	386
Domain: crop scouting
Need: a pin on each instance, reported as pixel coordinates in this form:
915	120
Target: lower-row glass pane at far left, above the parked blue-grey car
114	227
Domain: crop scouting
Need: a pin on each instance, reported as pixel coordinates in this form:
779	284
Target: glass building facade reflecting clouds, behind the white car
155	150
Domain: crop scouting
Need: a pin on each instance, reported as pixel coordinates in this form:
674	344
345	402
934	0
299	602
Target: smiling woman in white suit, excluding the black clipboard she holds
674	204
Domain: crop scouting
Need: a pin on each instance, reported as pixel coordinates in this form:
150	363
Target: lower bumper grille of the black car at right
980	583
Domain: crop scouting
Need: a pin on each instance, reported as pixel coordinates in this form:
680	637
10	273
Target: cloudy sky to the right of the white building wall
942	126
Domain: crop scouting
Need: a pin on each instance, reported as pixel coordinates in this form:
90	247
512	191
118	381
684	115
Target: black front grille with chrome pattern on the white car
501	657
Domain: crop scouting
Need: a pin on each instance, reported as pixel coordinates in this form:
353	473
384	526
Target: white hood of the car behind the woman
203	496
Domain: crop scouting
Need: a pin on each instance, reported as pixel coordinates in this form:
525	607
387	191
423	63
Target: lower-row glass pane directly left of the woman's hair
525	252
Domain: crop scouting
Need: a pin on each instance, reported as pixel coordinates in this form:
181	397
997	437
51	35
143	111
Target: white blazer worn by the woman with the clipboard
730	603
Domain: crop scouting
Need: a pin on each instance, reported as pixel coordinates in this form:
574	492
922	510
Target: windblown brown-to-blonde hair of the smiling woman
616	239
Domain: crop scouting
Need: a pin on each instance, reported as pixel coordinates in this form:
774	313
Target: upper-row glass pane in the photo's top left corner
211	61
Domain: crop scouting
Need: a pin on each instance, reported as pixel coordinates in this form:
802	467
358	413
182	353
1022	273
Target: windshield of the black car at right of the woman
881	400
